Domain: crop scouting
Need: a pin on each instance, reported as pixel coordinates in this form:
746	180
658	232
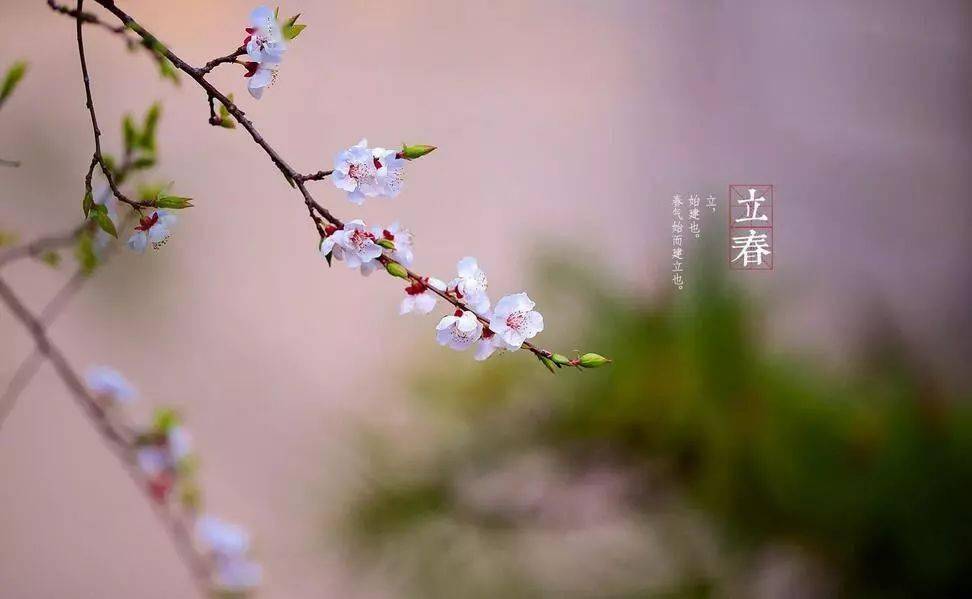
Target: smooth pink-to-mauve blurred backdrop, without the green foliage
560	124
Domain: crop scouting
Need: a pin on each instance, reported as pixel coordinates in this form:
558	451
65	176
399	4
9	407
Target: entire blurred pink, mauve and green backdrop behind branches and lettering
796	433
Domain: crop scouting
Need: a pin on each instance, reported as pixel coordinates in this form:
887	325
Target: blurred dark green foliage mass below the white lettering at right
869	472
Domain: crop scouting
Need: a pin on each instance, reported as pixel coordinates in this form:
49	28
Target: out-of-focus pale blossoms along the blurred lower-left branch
164	456
